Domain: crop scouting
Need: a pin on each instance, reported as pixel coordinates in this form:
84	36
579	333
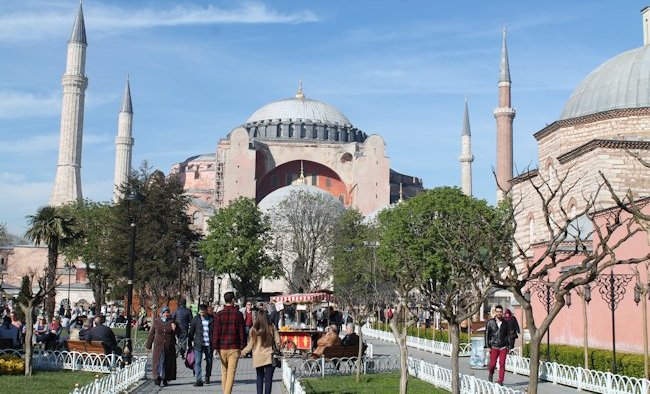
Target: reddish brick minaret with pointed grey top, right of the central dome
504	115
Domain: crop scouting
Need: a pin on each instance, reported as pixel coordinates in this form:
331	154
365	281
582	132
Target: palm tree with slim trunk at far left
49	226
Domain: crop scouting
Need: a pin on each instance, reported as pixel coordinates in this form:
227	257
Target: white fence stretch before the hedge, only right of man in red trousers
580	378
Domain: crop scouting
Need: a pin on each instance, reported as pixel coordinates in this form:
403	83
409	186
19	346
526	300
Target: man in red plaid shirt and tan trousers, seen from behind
228	340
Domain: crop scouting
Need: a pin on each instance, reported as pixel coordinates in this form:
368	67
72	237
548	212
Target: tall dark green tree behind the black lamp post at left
164	239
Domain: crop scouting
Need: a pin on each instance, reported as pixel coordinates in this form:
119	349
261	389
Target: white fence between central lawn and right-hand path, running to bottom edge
441	377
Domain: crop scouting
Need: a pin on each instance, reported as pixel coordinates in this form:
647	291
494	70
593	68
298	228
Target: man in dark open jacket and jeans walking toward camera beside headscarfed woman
199	338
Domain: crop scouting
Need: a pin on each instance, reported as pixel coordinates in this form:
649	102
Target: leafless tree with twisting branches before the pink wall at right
584	243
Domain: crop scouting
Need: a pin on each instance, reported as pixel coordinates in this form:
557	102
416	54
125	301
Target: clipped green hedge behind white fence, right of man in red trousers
628	364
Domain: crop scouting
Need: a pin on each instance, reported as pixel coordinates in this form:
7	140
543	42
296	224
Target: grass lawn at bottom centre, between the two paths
368	384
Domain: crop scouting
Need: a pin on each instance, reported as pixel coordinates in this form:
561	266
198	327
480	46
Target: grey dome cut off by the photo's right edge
621	82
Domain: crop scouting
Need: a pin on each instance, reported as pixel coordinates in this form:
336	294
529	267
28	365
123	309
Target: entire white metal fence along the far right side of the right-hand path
578	377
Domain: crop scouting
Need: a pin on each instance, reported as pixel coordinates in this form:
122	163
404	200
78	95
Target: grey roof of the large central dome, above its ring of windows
299	107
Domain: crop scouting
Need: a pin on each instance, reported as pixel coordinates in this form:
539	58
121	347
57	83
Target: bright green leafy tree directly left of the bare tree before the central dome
235	245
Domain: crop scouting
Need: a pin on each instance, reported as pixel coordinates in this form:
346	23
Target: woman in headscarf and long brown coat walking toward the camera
163	336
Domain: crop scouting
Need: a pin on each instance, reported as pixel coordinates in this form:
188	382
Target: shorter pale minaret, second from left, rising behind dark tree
123	144
